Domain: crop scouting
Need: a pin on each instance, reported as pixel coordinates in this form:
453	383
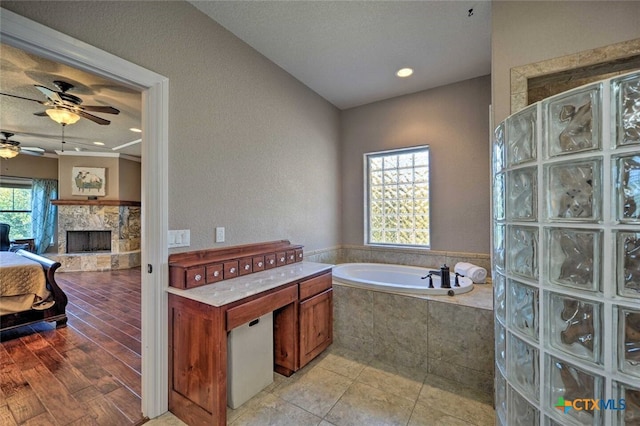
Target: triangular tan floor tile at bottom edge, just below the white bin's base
274	411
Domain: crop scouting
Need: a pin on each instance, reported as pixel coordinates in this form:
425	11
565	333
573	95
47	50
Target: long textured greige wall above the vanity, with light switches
250	149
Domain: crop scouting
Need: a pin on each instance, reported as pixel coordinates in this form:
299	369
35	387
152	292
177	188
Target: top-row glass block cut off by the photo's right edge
627	101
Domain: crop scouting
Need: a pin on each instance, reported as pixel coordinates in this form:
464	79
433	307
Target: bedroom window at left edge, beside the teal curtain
15	206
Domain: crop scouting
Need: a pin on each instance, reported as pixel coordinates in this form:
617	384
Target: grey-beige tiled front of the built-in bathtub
445	336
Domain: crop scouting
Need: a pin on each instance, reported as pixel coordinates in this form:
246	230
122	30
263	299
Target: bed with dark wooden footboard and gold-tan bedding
28	291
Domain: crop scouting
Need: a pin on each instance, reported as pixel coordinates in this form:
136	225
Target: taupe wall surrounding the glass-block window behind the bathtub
454	121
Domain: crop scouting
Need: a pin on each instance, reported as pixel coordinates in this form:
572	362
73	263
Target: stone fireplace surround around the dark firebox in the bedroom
122	220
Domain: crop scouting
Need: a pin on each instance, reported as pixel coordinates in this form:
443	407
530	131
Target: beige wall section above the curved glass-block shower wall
525	32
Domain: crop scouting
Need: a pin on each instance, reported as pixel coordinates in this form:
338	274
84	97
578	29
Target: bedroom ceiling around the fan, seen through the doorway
20	71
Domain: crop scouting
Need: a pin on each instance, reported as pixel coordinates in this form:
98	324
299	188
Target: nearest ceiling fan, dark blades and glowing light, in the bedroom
65	108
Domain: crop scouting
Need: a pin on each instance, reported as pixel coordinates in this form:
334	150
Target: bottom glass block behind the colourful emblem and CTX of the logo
568	383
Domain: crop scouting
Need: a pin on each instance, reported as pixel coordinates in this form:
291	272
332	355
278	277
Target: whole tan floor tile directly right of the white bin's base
317	391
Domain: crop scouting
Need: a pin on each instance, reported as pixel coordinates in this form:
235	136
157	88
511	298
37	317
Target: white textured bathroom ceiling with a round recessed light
348	51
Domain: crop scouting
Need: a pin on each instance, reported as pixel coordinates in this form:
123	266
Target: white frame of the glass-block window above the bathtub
367	191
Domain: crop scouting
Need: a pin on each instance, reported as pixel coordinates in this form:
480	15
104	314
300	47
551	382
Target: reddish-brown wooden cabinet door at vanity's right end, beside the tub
316	325
